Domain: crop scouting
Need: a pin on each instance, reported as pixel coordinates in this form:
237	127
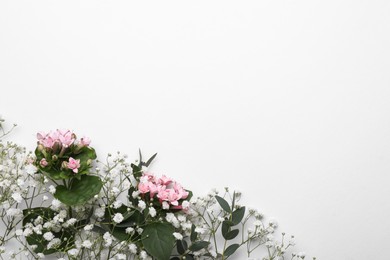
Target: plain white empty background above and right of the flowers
287	101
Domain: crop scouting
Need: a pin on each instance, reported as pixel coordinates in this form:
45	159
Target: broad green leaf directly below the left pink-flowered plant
81	191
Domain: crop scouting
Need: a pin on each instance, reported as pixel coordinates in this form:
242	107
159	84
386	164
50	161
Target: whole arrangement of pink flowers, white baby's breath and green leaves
62	201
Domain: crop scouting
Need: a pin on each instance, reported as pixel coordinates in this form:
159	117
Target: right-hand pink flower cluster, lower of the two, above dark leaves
165	189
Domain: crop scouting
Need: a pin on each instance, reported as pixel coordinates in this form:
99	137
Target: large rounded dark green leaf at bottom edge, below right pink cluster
158	240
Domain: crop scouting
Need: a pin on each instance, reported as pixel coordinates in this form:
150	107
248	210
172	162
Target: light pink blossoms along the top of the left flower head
62	137
